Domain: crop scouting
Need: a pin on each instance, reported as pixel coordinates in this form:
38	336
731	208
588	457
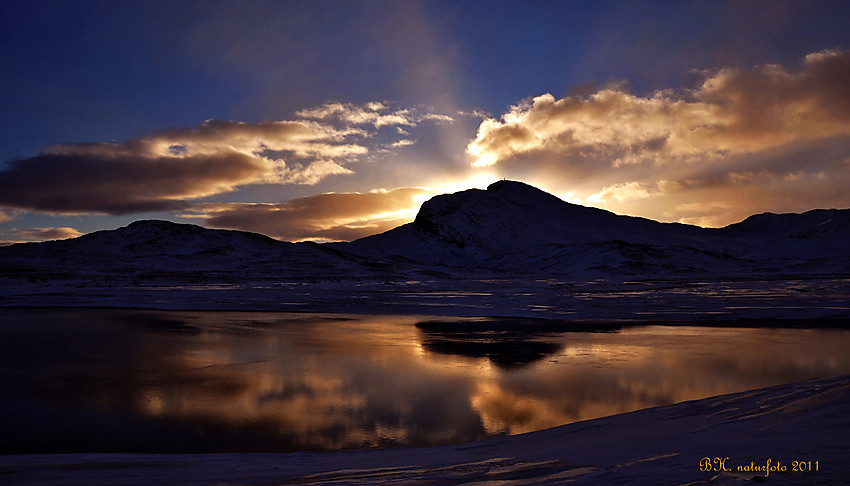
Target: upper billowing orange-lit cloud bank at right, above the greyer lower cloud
732	112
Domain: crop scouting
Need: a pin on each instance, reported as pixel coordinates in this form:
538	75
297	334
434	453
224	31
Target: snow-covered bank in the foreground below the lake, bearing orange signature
761	435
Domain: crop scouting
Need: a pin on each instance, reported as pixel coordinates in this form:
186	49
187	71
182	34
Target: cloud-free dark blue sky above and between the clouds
83	71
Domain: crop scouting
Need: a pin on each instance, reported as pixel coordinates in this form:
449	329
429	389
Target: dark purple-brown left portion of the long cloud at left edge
122	183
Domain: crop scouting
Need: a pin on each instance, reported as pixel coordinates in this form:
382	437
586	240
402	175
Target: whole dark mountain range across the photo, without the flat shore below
509	228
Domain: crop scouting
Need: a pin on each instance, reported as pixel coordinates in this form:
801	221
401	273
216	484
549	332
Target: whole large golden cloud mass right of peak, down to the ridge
747	139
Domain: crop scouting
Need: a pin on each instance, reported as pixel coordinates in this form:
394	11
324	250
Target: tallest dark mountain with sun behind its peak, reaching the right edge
514	227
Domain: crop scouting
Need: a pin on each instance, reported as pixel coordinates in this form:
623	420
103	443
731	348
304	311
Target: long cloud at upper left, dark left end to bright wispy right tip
167	170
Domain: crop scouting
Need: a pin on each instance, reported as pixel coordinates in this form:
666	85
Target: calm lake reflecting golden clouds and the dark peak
110	380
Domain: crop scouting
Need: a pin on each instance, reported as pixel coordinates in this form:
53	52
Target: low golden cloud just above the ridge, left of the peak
333	216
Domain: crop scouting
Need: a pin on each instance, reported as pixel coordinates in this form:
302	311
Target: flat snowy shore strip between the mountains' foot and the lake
686	298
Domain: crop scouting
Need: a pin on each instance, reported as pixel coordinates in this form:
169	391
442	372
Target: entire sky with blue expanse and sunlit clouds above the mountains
332	120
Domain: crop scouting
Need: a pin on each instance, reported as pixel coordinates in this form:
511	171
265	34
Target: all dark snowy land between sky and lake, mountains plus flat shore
510	250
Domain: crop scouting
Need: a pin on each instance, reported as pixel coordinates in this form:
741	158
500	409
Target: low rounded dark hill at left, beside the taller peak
166	253
